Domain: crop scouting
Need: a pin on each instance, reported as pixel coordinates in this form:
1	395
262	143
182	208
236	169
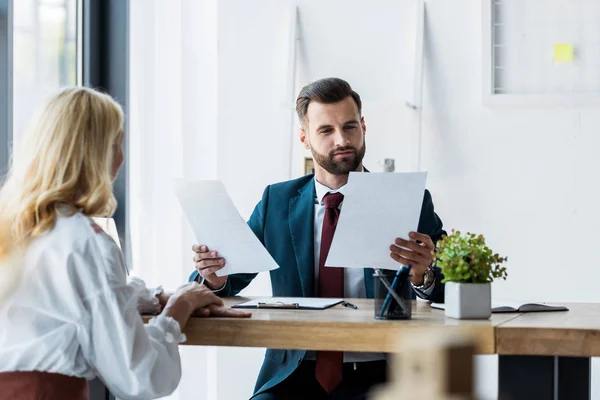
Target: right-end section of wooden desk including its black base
547	355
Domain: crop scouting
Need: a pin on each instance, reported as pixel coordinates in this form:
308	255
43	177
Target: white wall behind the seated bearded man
524	177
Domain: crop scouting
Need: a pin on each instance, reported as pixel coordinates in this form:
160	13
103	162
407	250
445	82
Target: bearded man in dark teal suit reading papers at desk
295	221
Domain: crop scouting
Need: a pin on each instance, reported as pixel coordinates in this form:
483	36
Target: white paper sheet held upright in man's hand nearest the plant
377	208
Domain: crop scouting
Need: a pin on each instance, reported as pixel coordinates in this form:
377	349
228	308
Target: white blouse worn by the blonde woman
74	313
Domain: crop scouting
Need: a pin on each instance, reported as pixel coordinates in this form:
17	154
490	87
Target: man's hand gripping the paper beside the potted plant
418	252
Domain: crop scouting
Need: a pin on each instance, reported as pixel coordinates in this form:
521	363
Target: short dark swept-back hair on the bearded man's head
326	91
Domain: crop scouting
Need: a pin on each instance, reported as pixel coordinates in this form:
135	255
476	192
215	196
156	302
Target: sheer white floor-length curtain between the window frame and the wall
172	135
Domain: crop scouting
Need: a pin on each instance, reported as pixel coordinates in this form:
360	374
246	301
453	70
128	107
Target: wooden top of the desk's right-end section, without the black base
574	333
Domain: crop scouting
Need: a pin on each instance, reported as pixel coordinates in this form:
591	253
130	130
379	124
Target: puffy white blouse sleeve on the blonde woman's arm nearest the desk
135	361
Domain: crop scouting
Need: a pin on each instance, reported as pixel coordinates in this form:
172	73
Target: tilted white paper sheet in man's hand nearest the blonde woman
217	224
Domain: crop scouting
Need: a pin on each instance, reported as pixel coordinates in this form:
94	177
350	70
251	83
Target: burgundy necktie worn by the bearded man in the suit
331	284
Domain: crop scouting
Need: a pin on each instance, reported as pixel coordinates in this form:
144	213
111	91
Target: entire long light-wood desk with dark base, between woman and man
532	346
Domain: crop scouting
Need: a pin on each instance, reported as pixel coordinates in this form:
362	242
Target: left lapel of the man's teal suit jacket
301	220
